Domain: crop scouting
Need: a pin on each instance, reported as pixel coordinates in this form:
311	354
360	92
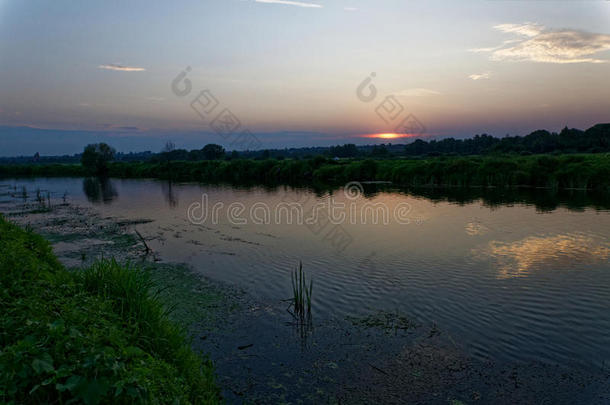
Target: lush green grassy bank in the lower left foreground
96	335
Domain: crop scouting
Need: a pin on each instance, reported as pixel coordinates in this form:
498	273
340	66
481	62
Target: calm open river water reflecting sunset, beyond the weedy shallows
506	279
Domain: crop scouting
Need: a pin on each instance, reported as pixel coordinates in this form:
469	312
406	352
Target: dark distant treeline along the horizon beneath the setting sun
594	140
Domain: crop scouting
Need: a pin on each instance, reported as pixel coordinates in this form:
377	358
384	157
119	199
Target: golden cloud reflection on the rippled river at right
522	257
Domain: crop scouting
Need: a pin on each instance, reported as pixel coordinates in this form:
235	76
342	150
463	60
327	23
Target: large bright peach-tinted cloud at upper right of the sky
536	43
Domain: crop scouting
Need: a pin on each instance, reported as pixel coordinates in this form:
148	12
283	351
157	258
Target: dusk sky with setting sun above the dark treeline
295	73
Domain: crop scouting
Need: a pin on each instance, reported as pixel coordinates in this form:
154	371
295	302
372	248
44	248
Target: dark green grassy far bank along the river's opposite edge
587	171
